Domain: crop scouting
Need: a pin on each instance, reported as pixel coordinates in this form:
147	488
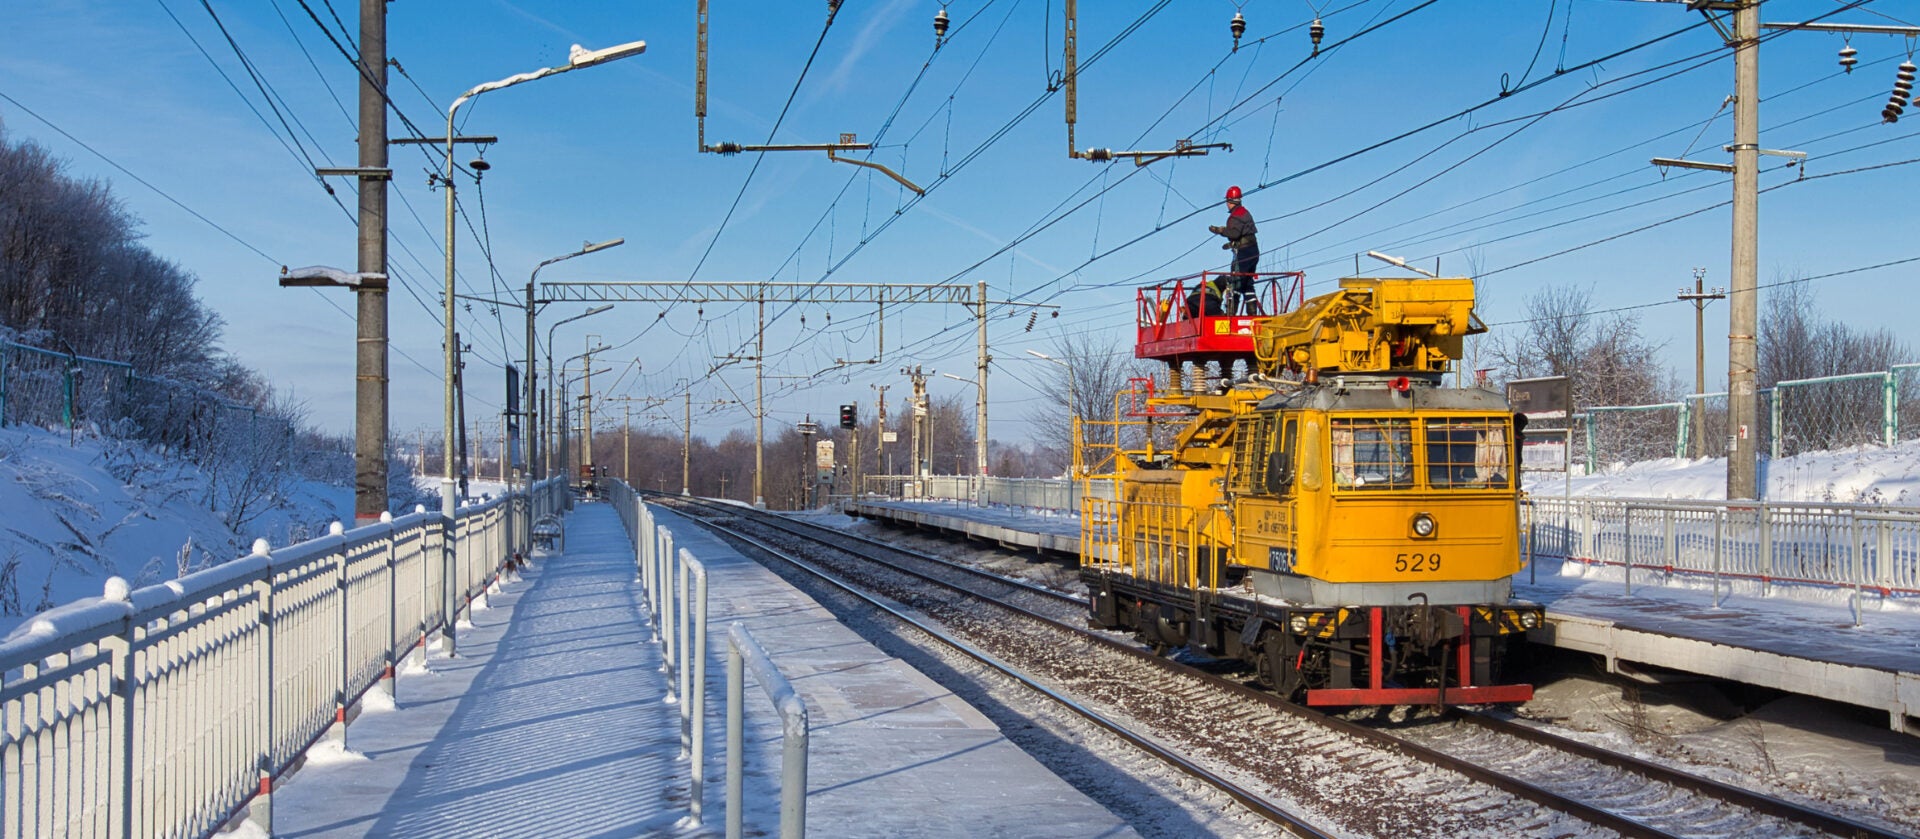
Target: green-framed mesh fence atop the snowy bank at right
1794	418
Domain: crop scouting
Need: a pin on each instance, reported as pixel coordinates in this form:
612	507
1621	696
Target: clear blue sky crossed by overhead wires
1326	147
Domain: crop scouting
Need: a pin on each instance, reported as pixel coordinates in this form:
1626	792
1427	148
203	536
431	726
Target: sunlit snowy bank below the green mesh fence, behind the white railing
1867	475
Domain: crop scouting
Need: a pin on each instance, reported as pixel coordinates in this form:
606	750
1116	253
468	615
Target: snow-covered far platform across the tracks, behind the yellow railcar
1796	646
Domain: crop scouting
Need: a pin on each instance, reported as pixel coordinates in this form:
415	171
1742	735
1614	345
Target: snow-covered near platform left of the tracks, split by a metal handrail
556	721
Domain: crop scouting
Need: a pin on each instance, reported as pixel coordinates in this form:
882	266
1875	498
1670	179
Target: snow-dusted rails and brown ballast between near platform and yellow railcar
1310	773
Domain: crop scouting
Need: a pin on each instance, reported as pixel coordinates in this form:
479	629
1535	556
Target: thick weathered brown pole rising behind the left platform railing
370	354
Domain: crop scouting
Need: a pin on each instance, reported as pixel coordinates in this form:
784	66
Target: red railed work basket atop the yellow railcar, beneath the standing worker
1201	318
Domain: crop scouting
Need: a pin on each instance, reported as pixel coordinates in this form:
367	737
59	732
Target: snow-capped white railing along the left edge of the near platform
166	711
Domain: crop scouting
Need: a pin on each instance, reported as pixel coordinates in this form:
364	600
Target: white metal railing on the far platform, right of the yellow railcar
1861	548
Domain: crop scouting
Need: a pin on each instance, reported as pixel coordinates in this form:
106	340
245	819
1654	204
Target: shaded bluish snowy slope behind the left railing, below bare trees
78	515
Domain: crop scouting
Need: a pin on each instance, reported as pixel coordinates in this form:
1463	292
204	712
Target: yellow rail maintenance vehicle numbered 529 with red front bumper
1335	517
